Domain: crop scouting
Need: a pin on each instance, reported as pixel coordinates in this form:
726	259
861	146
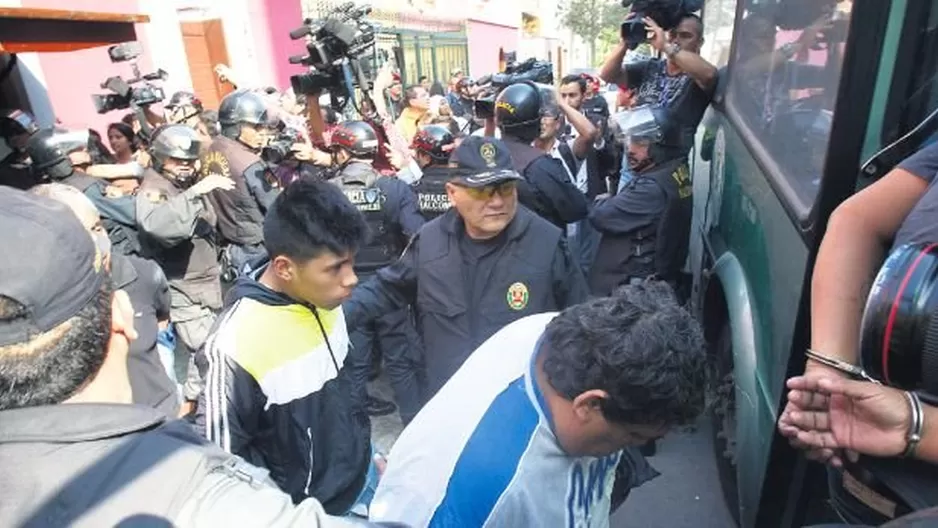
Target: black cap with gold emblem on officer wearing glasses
483	161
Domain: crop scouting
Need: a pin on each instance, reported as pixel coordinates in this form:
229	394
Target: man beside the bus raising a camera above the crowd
683	82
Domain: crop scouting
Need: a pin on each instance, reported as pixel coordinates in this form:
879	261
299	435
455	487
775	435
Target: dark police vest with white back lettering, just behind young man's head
361	186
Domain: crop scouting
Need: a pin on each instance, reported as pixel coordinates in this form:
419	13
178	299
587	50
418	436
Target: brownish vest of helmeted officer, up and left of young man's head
240	220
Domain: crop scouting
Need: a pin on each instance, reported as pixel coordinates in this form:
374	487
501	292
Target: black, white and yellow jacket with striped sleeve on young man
277	394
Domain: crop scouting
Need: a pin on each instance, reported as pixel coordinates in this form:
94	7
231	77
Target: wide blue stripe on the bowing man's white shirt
489	461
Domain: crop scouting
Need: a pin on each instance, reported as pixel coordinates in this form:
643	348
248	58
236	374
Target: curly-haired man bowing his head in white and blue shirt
530	430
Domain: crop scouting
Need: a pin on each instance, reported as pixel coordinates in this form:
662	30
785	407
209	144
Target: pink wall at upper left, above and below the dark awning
71	77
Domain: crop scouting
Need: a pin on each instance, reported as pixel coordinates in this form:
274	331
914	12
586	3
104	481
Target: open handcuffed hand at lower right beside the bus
856	415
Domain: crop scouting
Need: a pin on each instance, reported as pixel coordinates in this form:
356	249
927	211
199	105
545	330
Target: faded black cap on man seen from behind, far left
50	263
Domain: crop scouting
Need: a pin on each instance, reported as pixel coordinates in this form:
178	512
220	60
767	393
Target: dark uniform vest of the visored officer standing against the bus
659	249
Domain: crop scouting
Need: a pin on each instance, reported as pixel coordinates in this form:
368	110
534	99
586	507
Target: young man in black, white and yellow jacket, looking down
278	392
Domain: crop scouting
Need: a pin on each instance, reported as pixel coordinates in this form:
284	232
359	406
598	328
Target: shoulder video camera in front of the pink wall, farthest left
125	95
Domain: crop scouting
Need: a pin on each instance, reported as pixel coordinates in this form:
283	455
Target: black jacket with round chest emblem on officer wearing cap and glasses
460	300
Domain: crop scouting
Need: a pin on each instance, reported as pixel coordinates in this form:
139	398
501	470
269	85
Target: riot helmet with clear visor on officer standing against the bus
652	137
